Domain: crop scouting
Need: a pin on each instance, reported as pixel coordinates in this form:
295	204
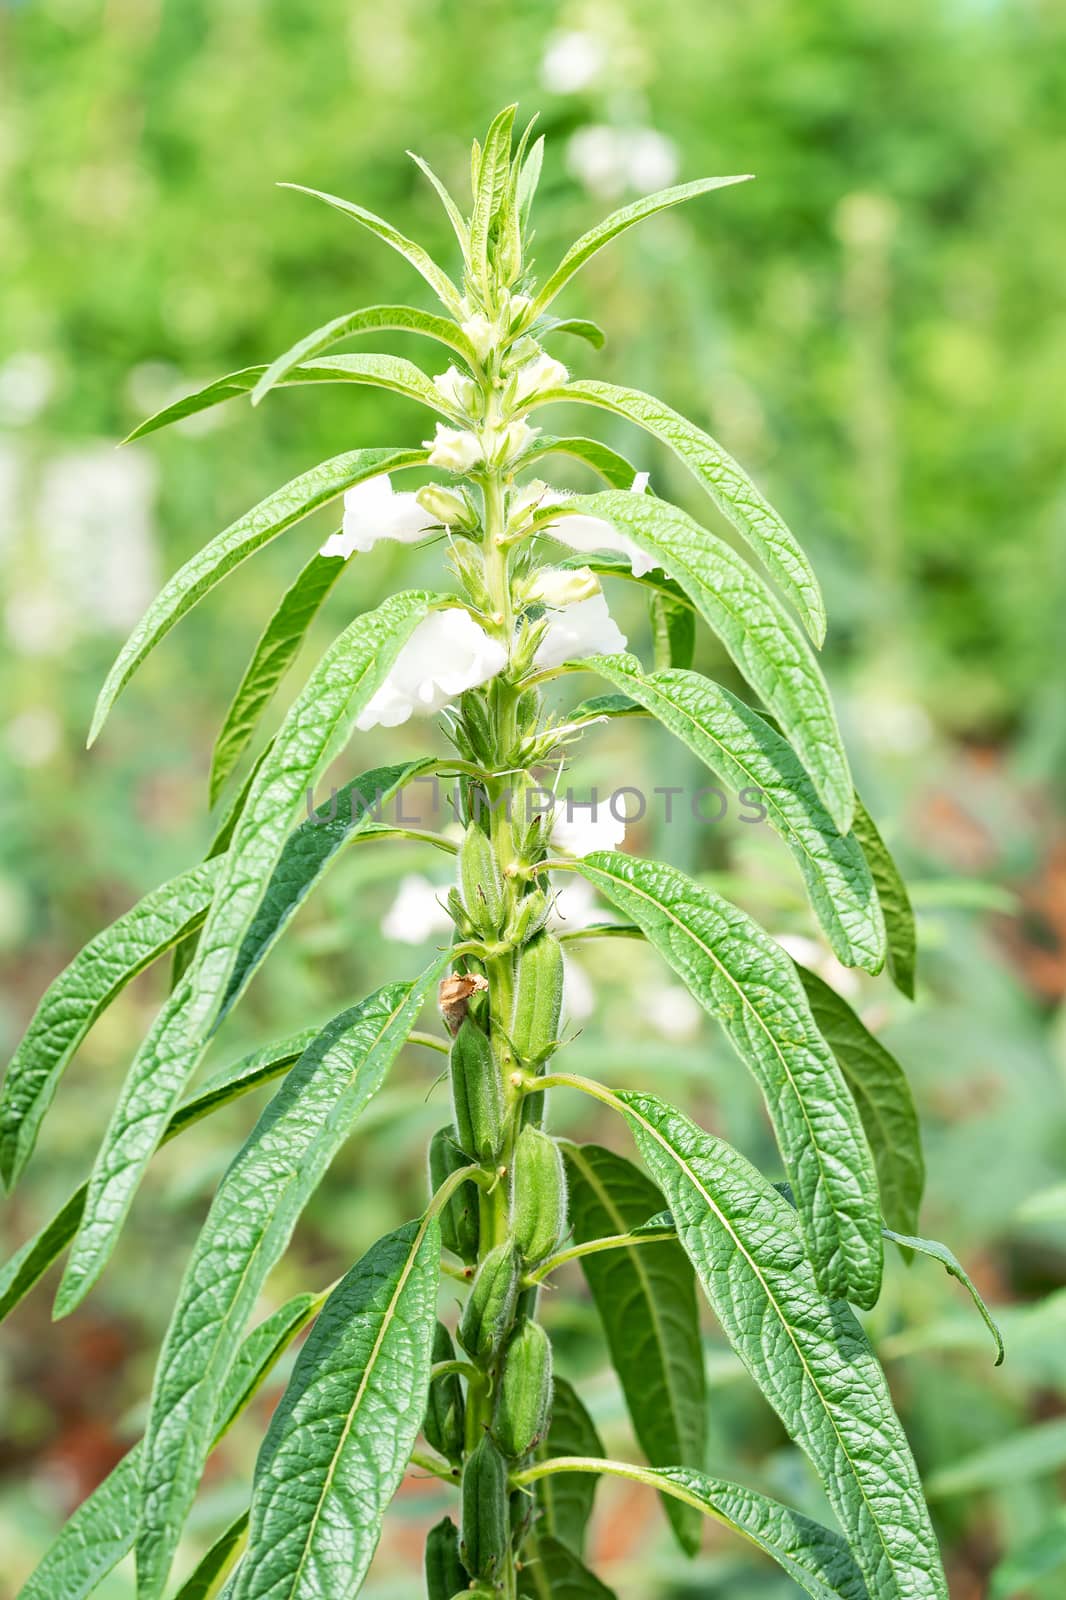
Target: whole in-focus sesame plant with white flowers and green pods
390	1380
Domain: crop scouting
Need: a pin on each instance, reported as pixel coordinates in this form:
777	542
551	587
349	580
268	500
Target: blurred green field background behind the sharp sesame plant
876	329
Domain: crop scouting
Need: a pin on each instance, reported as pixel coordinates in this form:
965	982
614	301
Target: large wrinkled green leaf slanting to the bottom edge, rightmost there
809	1356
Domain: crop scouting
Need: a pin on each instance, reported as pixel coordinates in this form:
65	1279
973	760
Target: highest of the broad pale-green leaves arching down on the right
729	487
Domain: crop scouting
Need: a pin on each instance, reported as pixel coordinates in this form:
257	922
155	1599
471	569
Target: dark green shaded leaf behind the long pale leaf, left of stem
310	850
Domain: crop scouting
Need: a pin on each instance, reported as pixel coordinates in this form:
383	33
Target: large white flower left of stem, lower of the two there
446	655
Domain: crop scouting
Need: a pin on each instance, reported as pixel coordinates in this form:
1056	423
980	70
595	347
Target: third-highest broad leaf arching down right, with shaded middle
747	753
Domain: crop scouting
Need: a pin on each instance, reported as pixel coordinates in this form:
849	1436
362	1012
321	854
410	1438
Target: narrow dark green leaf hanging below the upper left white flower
273	657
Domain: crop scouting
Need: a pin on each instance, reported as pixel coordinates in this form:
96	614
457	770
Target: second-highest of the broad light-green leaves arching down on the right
761	636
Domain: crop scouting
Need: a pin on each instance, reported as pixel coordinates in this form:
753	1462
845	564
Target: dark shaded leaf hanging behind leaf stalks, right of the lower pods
647	1305
